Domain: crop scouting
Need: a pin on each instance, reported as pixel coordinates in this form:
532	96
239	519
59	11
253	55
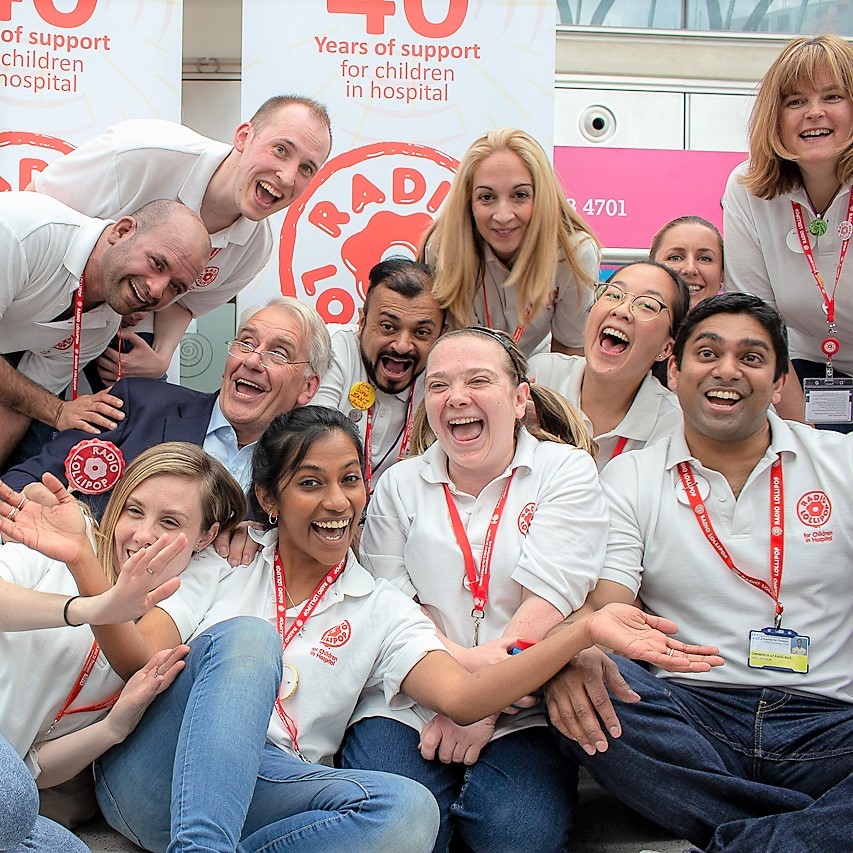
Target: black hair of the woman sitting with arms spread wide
285	444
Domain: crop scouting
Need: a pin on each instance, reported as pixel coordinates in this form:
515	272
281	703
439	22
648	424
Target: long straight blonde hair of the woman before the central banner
454	249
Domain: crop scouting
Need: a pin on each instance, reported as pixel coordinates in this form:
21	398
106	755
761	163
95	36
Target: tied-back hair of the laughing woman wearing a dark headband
556	419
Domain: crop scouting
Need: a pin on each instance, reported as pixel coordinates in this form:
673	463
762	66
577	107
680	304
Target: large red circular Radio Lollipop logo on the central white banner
363	205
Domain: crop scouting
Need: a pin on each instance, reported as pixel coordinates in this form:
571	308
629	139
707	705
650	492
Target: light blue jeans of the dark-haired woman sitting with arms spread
199	755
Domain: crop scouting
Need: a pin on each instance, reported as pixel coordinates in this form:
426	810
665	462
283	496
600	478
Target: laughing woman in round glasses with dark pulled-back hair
629	329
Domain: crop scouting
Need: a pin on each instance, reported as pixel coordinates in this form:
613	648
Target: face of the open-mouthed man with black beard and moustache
396	334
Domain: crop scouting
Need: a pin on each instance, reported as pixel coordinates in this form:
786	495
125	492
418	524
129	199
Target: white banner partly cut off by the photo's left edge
71	68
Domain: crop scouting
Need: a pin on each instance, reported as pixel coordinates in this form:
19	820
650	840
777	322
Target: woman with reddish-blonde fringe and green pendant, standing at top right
788	211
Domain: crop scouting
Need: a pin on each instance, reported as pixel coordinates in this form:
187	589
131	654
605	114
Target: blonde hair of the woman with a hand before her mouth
222	500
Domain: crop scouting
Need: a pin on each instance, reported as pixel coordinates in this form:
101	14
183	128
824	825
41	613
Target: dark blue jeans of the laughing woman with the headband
519	795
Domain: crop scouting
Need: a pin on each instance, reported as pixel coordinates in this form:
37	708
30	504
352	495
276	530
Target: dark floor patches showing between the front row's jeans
603	825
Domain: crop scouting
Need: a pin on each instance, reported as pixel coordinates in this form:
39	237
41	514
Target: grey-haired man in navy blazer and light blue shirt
274	364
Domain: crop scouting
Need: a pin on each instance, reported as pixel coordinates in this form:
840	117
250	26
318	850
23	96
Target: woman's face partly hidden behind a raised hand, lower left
164	503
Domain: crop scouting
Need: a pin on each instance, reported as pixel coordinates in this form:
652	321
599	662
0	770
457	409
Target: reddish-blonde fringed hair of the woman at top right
772	169
